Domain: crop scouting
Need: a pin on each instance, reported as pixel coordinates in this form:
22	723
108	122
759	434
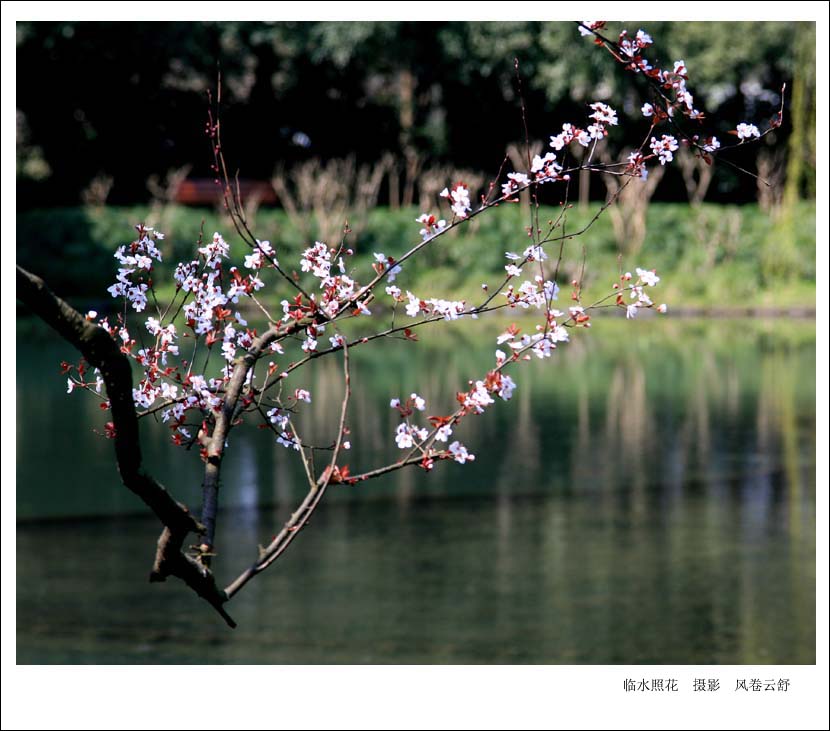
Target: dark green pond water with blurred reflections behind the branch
648	496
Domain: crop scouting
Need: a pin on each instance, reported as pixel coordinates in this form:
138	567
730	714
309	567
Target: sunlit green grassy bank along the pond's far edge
713	256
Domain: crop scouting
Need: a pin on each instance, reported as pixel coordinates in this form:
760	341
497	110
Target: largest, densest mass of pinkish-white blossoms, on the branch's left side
209	289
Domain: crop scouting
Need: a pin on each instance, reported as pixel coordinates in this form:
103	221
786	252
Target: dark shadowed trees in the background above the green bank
127	99
